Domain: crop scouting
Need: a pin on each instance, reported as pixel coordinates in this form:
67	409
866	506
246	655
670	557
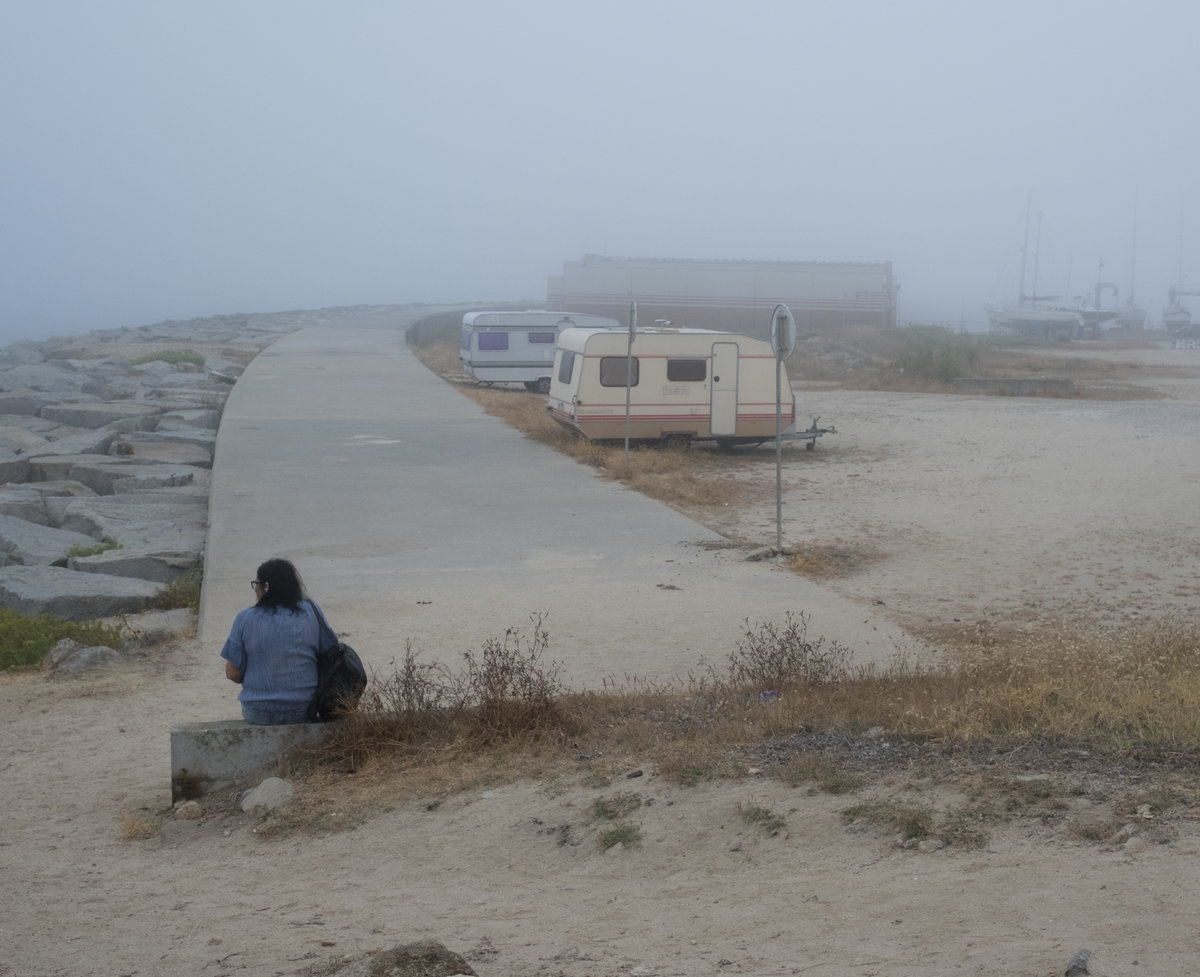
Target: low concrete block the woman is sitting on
208	757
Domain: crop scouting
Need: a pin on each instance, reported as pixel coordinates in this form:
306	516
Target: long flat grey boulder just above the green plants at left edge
71	596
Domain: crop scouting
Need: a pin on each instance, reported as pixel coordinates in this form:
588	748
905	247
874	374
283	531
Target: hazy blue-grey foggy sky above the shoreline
166	160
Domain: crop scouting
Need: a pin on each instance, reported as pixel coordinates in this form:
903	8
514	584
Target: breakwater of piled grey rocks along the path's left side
106	457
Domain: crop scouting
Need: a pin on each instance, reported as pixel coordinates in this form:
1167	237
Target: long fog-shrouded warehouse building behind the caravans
733	296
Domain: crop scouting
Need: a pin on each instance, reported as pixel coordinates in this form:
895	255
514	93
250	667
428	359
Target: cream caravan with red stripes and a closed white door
687	385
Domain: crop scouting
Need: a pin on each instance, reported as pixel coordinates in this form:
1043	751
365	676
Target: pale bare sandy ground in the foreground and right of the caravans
951	513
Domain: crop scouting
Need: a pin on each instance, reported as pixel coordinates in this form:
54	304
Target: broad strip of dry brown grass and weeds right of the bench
1114	718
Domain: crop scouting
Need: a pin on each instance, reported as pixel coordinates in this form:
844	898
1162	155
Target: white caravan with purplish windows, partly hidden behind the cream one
519	347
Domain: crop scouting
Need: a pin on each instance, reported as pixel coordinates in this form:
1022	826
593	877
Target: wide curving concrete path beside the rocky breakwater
416	518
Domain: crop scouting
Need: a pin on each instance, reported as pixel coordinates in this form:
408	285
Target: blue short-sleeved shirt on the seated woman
275	650
